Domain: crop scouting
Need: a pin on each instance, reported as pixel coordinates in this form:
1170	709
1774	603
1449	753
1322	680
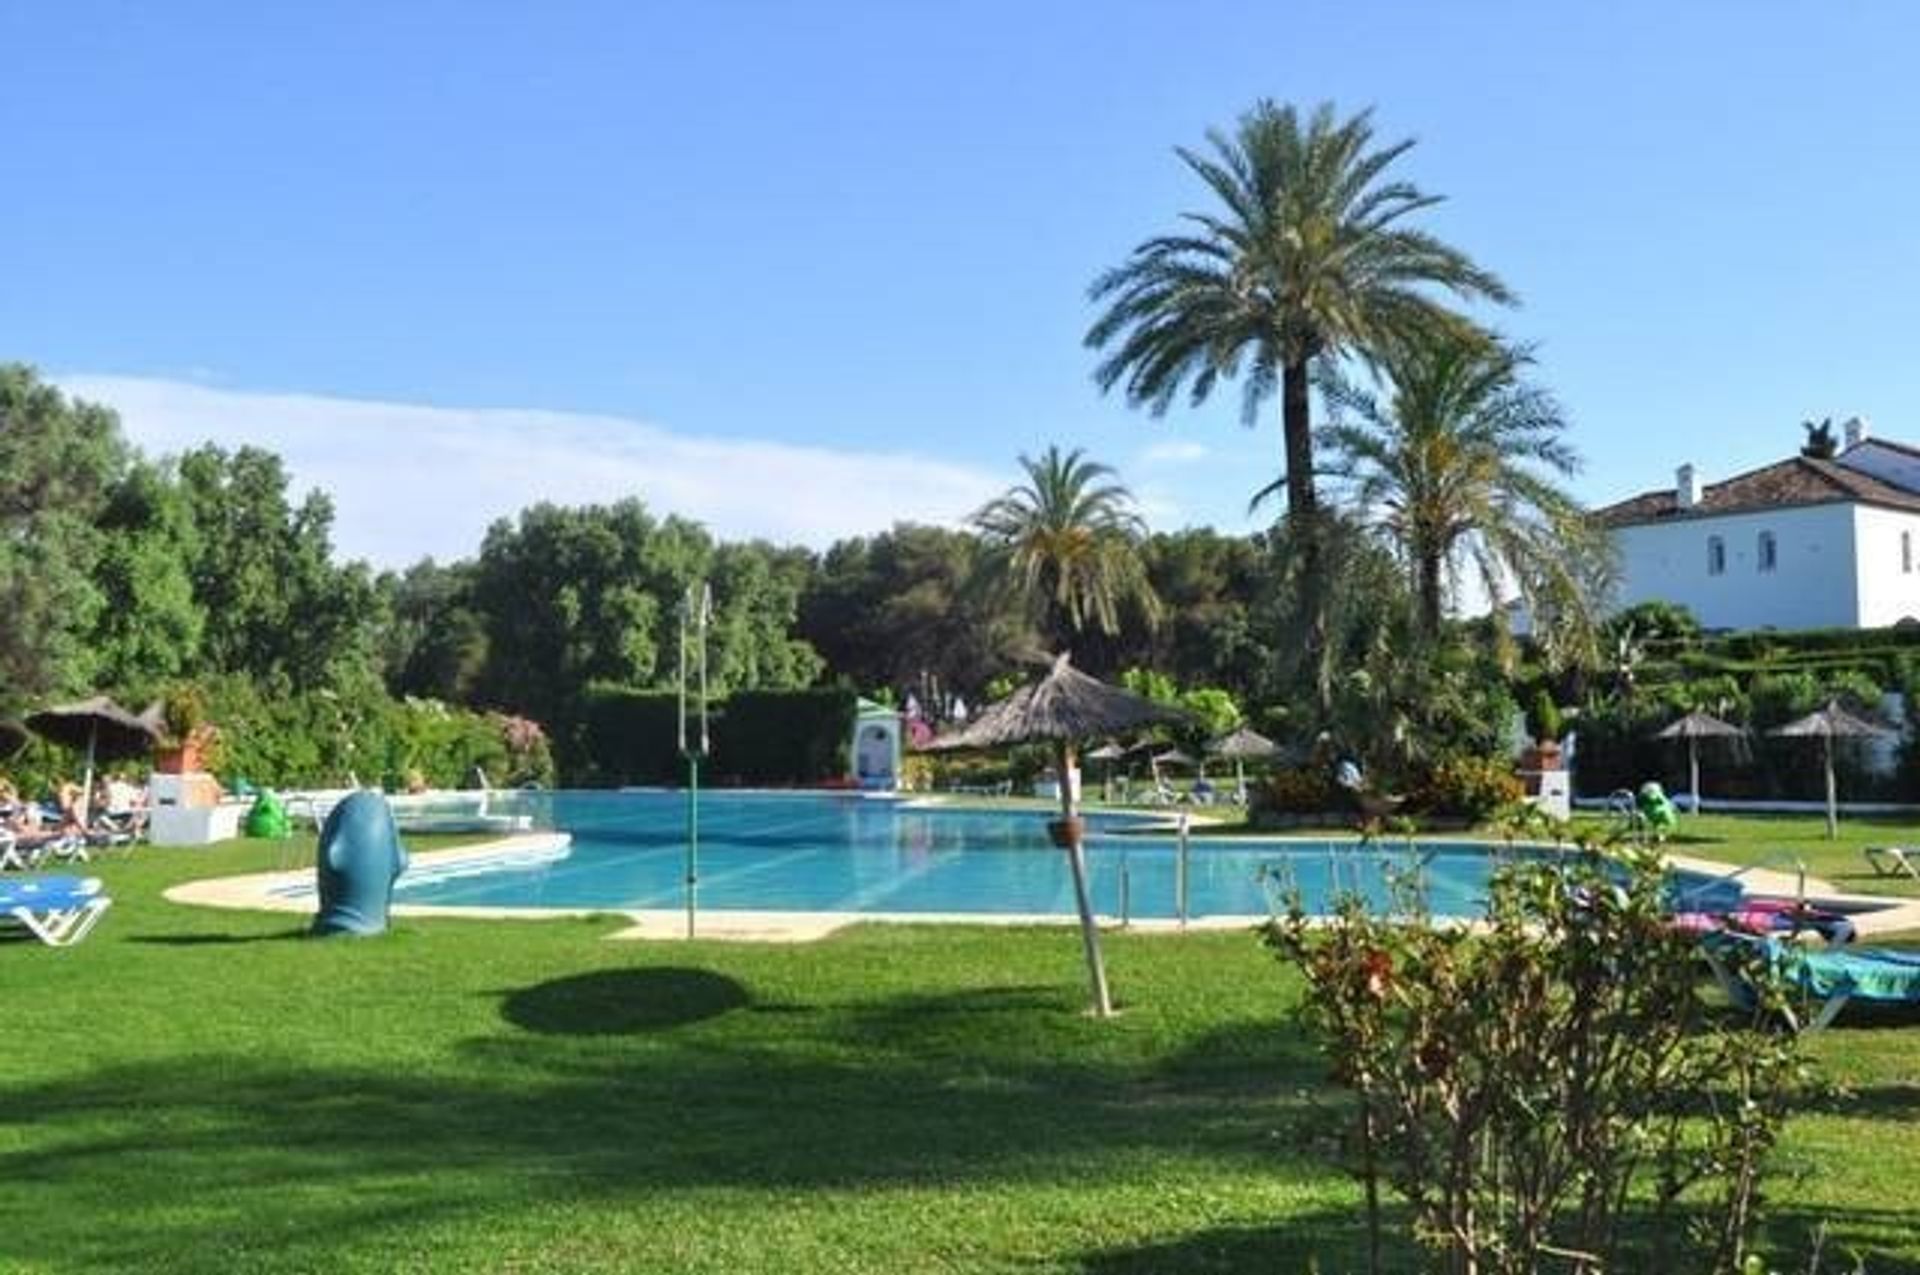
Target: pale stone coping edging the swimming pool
268	892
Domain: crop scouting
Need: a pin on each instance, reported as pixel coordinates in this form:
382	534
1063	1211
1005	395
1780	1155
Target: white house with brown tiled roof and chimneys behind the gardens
1798	544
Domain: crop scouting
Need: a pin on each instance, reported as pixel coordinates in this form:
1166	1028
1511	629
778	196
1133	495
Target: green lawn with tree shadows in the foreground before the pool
197	1090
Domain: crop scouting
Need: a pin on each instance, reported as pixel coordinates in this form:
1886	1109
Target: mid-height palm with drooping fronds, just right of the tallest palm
1458	469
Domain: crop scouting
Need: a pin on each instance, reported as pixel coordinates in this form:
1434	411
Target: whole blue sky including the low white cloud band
804	270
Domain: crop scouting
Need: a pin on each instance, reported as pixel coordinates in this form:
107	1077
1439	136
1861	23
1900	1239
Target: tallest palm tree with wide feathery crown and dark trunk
1307	258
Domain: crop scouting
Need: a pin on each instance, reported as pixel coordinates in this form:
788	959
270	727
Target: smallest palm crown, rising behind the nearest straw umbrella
1067	542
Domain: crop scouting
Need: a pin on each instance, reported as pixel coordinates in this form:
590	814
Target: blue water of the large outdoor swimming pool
832	854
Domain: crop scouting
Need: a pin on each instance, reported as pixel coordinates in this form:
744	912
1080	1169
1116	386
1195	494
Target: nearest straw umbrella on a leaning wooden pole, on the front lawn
1063	710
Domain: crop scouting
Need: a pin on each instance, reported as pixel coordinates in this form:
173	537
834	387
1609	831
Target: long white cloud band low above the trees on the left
414	481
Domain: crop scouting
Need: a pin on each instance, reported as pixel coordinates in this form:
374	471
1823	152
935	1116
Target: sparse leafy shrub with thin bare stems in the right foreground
1550	1088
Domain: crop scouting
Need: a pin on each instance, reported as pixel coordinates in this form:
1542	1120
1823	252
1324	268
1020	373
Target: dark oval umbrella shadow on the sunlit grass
623	1001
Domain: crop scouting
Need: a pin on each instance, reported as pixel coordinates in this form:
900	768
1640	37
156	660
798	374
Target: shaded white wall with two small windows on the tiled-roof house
1813	583
